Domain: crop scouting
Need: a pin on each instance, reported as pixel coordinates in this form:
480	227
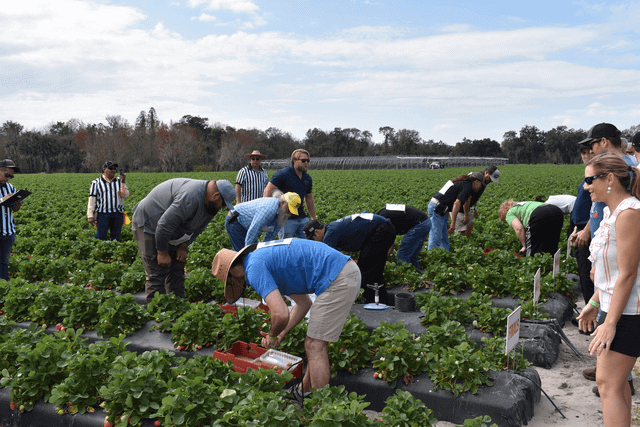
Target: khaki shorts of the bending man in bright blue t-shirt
330	310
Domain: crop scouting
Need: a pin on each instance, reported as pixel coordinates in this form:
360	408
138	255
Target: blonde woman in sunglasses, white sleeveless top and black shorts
616	274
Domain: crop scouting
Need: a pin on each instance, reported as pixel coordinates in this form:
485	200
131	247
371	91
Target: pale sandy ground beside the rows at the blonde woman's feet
570	391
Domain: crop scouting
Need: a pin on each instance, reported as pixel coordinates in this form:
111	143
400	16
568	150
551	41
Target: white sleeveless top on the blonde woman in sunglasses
604	249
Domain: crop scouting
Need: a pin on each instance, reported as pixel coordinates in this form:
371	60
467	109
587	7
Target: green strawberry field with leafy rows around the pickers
66	284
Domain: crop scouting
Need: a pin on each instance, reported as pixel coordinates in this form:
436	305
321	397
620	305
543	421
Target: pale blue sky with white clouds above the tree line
447	69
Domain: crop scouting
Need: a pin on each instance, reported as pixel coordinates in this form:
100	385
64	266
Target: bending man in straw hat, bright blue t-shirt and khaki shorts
295	268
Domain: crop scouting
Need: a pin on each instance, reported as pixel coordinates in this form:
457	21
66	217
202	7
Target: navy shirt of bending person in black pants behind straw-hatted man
349	233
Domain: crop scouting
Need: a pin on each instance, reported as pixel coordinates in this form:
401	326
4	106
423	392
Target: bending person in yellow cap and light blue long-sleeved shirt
248	219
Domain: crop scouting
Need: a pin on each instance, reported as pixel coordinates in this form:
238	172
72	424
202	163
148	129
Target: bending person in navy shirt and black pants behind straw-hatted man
370	234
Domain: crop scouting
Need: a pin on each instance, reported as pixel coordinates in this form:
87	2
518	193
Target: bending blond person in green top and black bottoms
537	225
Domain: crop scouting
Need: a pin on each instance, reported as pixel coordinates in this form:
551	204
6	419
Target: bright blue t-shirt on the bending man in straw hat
293	266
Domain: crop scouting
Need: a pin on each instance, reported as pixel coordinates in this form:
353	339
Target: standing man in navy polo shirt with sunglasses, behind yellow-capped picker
294	179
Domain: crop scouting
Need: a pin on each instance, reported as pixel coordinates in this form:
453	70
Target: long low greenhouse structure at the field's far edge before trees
389	162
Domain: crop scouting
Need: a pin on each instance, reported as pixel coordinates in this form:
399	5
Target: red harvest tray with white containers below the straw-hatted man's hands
244	357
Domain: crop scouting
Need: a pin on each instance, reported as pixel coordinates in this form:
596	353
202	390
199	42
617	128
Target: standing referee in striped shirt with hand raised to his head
106	202
